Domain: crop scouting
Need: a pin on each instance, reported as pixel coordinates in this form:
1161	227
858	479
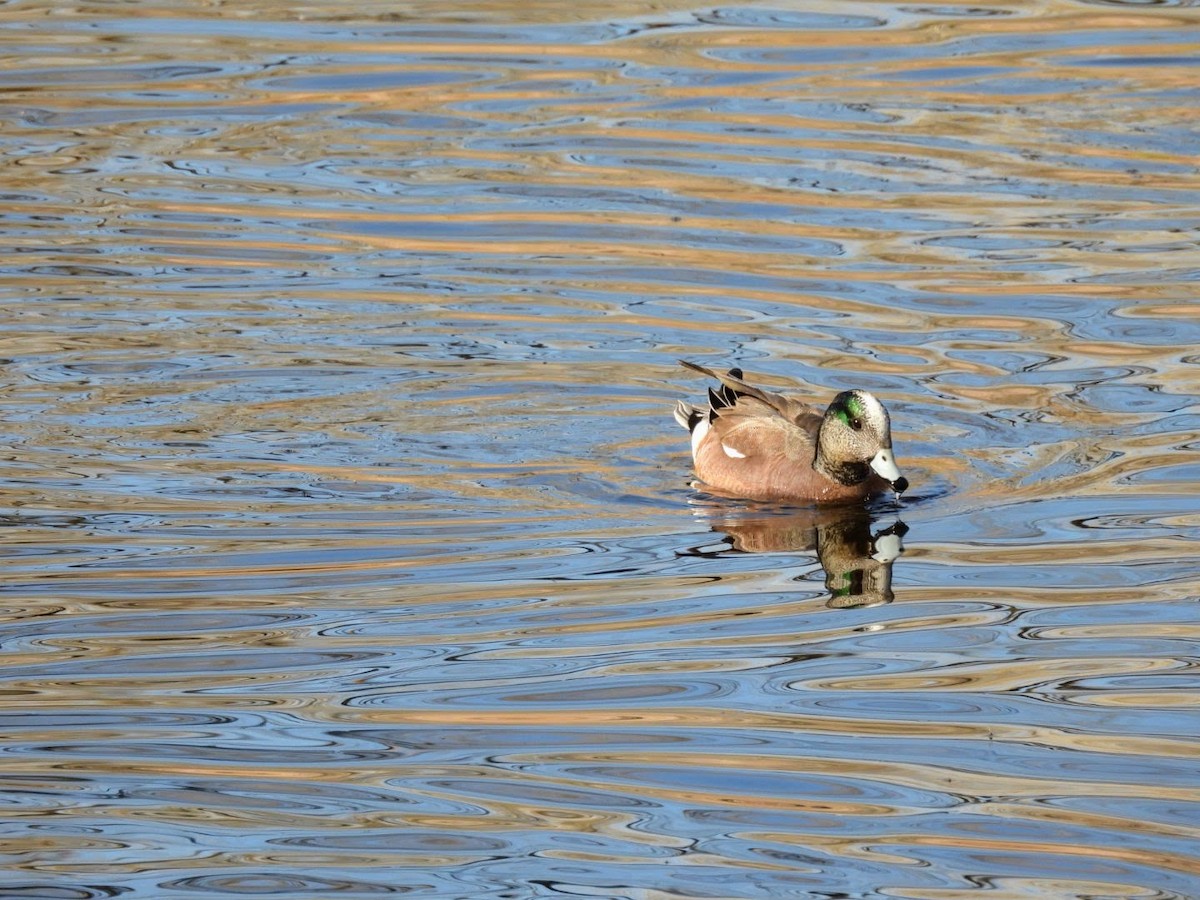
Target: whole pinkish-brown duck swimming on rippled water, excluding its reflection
754	445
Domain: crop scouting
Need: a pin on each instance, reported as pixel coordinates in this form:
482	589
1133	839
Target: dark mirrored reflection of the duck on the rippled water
856	555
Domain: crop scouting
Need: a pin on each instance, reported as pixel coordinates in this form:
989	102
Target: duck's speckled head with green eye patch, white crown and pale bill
856	440
